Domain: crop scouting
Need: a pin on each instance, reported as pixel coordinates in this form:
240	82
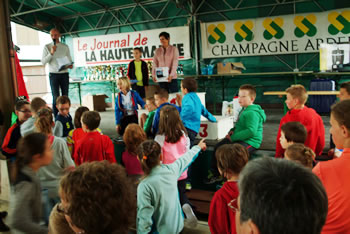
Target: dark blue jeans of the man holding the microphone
57	81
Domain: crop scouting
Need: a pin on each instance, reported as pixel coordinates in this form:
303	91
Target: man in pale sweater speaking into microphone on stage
57	55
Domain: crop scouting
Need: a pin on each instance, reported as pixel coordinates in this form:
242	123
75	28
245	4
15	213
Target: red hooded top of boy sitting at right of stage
313	124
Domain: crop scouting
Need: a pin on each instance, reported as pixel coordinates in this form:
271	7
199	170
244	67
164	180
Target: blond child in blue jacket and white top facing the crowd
126	105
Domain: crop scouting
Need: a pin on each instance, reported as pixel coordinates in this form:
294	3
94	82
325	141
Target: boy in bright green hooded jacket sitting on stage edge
248	130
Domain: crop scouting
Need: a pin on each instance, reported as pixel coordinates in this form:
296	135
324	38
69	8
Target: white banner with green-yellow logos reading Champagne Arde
287	34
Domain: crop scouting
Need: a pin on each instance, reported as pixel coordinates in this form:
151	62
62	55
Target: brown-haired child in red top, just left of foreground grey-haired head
231	158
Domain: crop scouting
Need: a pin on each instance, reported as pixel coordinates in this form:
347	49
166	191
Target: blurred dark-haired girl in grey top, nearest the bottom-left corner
33	152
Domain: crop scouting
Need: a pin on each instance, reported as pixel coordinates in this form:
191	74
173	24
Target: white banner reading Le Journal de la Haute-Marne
118	48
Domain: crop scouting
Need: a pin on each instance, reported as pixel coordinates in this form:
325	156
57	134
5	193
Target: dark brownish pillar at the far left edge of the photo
7	74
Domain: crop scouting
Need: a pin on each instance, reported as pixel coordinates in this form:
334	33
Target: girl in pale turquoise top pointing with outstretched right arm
158	205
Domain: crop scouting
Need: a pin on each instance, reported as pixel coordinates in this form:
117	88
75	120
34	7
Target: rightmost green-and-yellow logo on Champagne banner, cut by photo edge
339	22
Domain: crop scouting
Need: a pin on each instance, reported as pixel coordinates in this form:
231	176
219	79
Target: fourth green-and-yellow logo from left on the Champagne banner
305	25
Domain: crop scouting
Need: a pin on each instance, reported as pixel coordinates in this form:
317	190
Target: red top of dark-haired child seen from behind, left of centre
94	147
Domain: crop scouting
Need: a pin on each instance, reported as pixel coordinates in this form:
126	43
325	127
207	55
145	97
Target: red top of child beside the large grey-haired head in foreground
221	216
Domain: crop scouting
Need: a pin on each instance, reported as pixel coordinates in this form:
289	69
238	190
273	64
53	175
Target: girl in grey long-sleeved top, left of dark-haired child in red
51	174
